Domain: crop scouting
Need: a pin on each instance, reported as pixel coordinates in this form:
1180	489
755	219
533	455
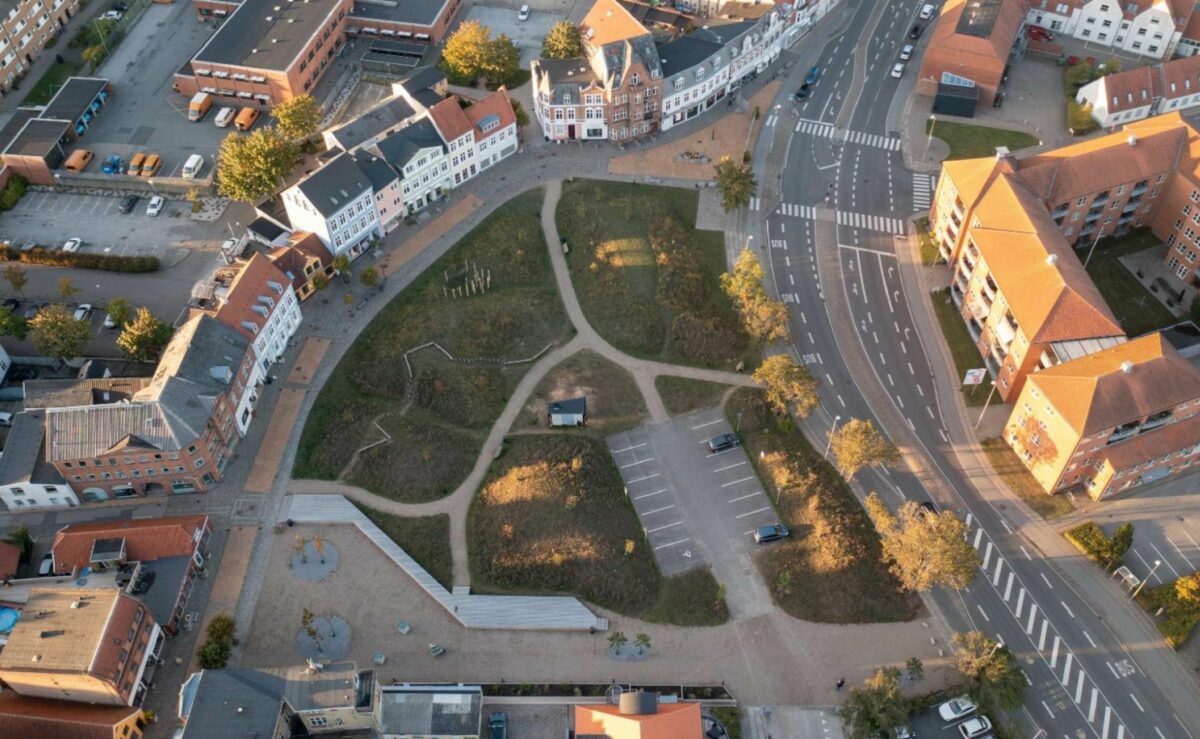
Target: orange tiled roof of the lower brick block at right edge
1094	393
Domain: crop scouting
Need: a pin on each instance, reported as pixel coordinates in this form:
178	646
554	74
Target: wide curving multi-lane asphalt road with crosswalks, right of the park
845	179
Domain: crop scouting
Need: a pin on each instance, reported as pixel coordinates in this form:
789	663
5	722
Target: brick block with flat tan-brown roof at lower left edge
89	646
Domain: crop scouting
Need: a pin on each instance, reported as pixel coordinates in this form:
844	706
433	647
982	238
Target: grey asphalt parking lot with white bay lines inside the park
697	507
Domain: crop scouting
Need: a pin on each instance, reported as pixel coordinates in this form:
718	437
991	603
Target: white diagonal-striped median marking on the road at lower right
1070	675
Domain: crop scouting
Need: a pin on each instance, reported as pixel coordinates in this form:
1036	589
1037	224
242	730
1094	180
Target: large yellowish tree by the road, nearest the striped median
926	550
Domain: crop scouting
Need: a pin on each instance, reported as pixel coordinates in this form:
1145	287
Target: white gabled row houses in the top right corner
1147	28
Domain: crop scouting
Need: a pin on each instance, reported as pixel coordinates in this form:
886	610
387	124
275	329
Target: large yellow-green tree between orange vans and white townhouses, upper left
251	167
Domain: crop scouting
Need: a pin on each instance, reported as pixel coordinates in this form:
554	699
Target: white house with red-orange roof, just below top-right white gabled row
1138	94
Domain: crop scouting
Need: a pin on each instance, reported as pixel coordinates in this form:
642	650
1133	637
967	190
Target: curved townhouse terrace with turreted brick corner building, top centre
628	86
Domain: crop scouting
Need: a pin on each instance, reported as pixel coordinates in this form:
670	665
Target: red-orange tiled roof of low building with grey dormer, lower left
146	539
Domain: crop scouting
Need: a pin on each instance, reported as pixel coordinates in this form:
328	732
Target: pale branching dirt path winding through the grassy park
459	502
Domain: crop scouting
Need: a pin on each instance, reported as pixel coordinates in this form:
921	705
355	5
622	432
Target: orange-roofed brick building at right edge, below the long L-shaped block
1111	422
